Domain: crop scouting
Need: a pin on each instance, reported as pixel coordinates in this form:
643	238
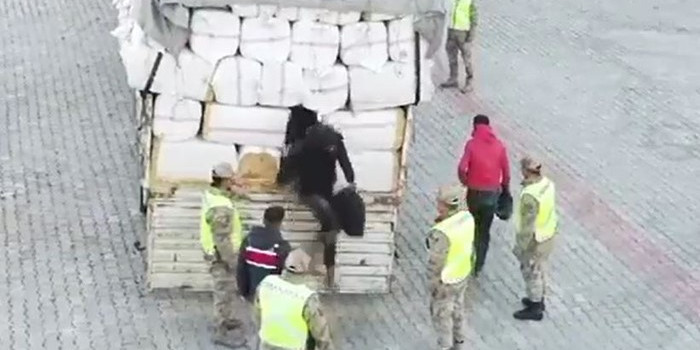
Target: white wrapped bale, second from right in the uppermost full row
364	44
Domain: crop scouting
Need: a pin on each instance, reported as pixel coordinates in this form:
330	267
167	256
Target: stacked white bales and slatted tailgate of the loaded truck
226	98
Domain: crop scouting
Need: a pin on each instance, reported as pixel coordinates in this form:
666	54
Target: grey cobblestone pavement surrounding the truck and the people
608	93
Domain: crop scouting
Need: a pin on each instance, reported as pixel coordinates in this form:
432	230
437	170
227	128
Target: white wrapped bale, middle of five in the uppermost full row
315	45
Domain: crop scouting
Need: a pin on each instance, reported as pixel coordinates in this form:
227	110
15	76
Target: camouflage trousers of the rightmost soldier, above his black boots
532	266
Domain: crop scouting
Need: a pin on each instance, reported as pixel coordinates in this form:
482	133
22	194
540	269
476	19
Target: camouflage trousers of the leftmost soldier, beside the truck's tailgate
227	304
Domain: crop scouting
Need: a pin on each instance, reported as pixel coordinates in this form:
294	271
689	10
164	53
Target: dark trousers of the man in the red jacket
482	205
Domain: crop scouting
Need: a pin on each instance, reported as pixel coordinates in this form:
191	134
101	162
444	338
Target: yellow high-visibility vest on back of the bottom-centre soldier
281	313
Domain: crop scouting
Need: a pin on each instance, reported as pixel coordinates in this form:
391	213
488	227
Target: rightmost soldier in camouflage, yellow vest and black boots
536	225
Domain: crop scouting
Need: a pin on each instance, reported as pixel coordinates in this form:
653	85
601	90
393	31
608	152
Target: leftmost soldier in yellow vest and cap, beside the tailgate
221	235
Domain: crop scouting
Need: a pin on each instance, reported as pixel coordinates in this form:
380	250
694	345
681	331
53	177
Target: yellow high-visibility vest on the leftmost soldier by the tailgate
206	236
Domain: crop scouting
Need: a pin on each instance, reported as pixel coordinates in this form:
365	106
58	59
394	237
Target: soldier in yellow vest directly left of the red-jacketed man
450	243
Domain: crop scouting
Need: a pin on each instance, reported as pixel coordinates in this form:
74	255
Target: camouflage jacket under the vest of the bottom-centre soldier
312	313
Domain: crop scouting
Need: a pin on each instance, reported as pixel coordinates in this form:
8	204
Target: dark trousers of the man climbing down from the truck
330	226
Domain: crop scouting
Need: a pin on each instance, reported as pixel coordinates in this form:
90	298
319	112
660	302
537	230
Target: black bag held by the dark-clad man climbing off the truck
350	211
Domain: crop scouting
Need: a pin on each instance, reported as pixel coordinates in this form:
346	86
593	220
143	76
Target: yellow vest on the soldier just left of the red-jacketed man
459	229
